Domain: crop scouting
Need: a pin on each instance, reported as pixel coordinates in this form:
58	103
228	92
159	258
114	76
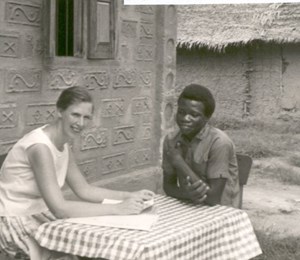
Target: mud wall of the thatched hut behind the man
259	80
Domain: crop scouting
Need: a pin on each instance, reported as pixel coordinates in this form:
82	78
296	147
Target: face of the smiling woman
76	118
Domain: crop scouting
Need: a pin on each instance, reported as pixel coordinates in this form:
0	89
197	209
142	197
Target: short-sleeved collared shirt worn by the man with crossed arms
210	154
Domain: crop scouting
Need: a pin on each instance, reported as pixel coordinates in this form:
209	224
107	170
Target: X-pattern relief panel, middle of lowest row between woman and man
113	163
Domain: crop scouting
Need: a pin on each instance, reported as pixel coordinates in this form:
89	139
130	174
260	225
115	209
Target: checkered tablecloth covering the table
183	231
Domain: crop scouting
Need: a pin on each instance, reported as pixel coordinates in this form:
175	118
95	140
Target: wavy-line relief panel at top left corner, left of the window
21	13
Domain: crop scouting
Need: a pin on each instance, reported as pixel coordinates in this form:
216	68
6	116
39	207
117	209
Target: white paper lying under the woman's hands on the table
144	221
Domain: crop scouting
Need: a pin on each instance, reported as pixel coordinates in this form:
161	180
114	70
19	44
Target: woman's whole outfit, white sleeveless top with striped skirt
22	208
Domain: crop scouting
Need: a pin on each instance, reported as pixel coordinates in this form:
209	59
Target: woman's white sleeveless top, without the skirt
19	193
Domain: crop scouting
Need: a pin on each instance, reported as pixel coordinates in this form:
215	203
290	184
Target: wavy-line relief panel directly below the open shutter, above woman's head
96	80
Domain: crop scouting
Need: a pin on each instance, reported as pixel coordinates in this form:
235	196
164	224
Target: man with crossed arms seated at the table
199	161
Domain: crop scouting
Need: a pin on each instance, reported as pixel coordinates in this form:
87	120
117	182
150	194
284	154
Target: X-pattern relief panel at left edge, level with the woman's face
8	115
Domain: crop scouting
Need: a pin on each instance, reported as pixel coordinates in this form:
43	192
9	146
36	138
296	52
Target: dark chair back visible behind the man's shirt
244	166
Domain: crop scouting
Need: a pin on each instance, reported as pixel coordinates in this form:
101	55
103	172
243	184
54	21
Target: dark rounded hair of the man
200	93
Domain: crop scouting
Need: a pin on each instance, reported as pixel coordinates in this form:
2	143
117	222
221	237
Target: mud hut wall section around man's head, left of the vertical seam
223	74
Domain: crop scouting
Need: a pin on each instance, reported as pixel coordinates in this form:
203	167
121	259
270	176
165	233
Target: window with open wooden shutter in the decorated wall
67	18
